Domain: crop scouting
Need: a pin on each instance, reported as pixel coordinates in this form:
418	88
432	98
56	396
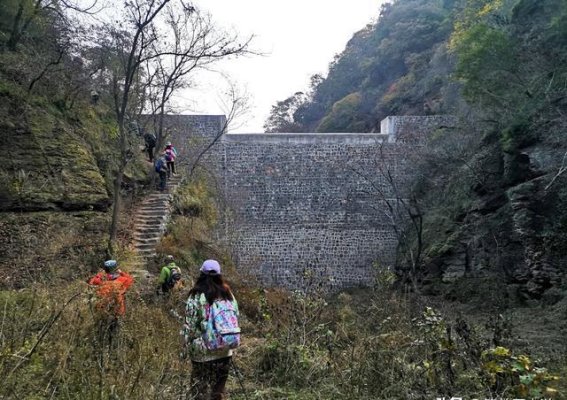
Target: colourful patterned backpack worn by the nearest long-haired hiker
222	332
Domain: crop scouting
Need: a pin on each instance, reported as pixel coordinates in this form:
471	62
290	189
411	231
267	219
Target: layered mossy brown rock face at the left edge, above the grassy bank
47	160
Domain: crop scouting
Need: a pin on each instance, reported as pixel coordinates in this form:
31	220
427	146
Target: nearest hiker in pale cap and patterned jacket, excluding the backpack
210	368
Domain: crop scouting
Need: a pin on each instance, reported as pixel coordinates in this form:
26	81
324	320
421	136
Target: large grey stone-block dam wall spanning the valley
307	209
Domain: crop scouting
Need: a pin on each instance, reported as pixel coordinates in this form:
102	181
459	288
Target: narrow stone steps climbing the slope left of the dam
151	219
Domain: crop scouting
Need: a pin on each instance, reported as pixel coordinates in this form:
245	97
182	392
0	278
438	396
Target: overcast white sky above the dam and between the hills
299	37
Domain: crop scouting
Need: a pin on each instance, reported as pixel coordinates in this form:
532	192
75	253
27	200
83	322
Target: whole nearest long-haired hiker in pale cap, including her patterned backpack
210	332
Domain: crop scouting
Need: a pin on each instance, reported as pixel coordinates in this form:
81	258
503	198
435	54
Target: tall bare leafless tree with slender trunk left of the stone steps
156	49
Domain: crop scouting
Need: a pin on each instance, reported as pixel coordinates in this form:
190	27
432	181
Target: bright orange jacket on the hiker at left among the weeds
111	291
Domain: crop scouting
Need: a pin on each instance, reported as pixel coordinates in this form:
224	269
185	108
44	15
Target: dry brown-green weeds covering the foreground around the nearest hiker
371	344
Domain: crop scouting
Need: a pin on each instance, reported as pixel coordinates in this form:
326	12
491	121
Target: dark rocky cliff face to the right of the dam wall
508	239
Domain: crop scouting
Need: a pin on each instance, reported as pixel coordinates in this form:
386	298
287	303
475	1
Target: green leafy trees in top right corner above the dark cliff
511	57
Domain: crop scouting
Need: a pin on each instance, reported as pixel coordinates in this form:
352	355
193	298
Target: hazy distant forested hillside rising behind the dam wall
397	65
